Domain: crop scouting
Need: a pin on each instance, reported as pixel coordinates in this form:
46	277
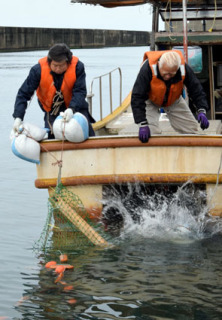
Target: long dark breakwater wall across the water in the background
13	39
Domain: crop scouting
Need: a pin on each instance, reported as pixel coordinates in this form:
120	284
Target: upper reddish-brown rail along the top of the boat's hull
118	142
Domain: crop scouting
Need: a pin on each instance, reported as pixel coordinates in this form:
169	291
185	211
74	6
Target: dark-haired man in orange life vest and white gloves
59	82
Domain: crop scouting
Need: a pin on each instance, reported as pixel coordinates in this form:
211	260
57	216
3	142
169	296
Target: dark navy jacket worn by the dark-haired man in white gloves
78	102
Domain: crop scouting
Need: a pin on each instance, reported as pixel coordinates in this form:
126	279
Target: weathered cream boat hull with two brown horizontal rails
88	166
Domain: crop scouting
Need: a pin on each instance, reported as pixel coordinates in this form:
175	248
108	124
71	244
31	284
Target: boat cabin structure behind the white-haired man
196	28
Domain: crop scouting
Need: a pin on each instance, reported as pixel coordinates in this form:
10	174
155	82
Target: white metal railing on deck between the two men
91	95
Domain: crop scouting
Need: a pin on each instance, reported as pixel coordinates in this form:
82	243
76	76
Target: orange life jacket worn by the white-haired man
157	86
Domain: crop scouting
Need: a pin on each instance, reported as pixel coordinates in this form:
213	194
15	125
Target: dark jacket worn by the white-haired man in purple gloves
140	92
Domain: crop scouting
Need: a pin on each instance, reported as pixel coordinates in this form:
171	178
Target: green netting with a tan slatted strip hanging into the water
68	224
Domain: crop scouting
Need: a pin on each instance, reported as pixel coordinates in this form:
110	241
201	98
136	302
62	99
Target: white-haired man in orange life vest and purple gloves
159	84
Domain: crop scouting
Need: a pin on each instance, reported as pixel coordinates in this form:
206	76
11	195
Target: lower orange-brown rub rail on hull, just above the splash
129	178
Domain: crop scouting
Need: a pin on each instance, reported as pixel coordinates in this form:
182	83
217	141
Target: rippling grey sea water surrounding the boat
166	262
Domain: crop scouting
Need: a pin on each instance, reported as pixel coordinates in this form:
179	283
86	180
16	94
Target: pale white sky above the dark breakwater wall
64	14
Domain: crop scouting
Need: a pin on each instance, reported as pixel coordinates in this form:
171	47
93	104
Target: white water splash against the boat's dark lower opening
178	213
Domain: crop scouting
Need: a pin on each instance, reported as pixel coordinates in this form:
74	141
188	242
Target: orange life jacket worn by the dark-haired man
46	89
